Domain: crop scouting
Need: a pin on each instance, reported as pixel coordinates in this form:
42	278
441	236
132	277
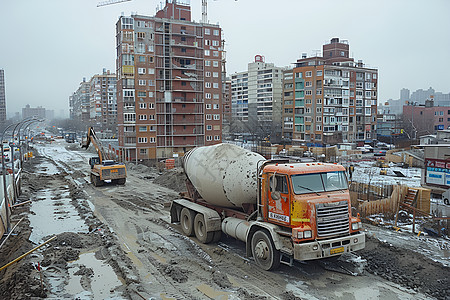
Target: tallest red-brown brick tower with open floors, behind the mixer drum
169	88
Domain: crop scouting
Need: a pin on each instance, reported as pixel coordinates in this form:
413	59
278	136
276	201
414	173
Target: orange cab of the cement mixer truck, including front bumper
311	201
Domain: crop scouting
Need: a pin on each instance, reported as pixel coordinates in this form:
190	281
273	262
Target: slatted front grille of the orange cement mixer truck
332	219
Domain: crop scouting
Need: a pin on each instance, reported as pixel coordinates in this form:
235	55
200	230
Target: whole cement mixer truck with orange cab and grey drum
282	211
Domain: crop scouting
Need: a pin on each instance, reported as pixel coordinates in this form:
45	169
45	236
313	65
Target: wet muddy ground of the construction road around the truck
127	228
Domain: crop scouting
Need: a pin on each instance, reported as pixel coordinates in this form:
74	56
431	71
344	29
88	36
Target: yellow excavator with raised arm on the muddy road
103	168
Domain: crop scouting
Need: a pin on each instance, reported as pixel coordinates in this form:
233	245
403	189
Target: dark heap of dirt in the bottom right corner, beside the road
407	268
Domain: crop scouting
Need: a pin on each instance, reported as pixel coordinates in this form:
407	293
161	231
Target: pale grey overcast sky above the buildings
48	46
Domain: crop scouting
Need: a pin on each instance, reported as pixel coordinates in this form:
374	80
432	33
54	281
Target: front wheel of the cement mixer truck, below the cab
264	252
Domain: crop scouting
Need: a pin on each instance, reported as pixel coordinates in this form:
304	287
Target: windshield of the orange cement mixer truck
319	182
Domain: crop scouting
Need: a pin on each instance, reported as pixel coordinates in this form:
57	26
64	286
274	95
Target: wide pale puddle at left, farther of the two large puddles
52	213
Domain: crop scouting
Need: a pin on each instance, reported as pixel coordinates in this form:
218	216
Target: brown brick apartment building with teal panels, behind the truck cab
335	98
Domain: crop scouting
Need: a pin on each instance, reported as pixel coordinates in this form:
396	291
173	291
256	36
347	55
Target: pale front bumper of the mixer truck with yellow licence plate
329	248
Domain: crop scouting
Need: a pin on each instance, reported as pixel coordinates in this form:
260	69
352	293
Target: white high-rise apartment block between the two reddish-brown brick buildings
256	97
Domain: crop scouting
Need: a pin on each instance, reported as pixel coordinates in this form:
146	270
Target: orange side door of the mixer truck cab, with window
279	200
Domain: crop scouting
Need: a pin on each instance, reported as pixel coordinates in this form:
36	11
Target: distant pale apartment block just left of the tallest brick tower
103	101
